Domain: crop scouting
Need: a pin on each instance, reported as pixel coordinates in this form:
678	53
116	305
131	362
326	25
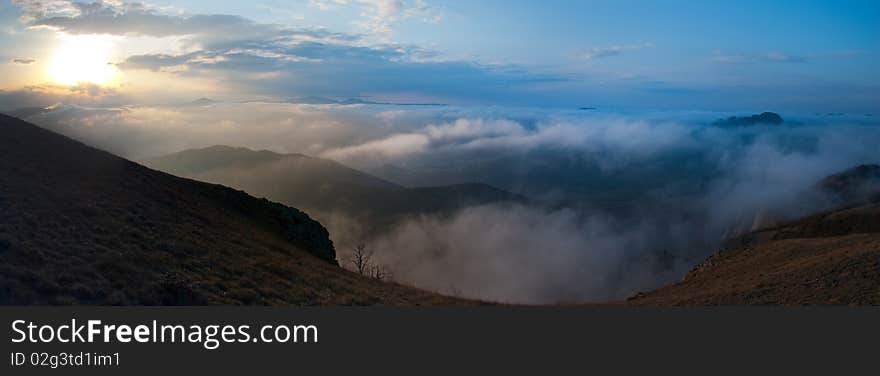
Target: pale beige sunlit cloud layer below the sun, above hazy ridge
144	131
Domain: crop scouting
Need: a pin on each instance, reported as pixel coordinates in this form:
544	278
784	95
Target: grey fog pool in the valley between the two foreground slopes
525	254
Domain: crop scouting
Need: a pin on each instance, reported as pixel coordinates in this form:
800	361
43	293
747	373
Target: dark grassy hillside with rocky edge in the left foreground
82	226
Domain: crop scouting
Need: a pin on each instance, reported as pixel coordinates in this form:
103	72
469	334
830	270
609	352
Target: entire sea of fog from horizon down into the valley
620	201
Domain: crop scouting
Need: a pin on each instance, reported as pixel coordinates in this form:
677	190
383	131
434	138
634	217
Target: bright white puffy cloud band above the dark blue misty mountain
461	136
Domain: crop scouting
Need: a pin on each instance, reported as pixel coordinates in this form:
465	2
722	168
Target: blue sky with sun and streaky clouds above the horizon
807	56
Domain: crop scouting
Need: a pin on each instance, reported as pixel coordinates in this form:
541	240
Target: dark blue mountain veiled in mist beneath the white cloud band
560	178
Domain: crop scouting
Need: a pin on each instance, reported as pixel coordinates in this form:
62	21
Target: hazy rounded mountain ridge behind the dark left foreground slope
323	186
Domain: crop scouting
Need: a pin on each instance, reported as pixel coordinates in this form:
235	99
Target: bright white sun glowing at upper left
82	59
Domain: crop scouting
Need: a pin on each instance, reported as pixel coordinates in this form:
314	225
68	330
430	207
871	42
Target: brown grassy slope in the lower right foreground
828	258
